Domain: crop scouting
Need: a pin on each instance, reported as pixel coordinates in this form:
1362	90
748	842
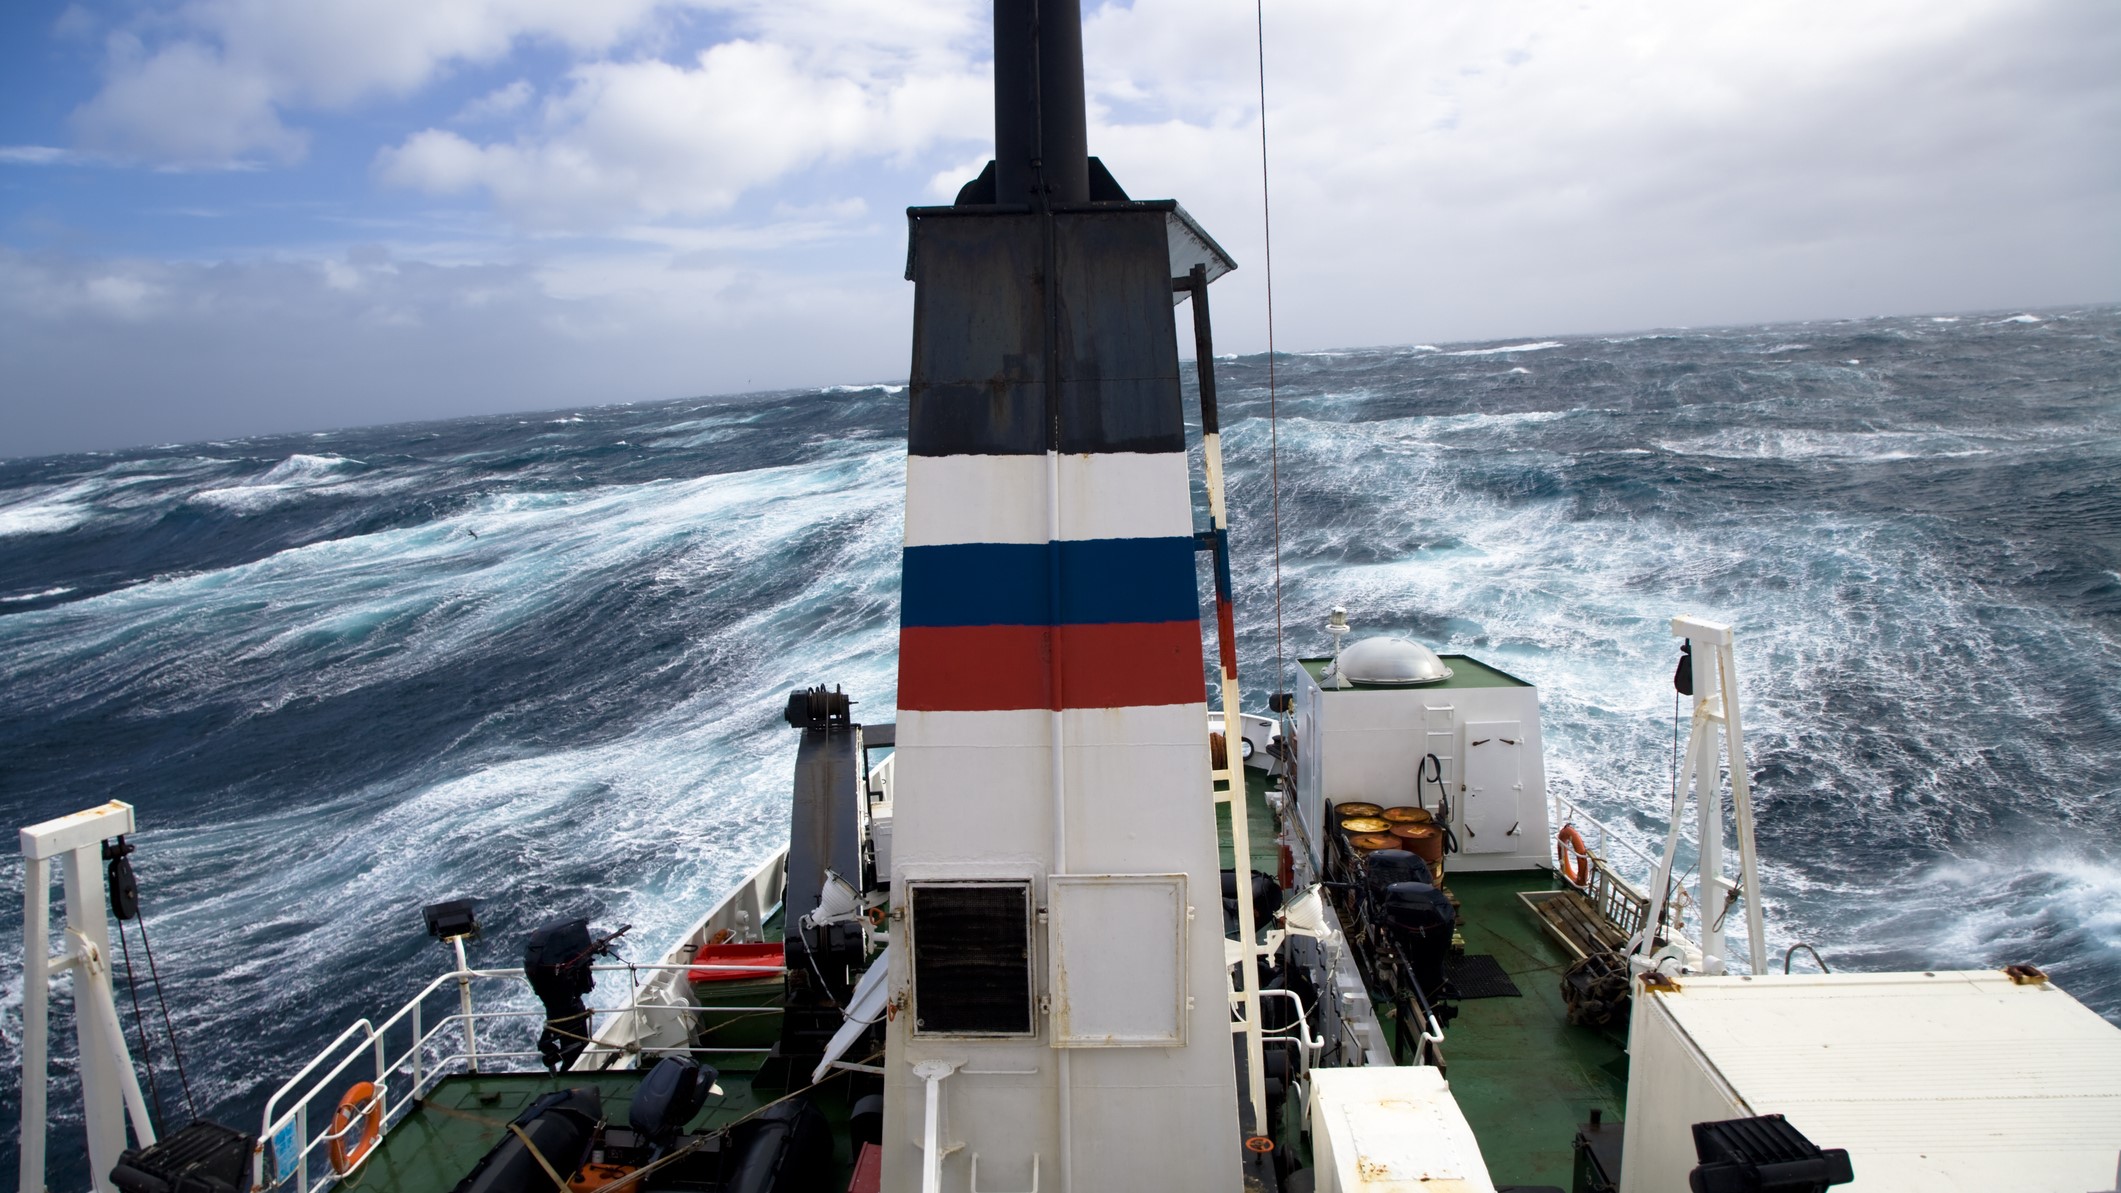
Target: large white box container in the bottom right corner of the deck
1938	1084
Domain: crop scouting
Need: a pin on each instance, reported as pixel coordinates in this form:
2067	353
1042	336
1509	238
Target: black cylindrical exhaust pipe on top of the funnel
1040	128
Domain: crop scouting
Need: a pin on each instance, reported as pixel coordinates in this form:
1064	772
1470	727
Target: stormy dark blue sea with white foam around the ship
542	659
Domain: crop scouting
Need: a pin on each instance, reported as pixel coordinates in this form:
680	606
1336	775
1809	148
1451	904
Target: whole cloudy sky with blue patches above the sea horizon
226	218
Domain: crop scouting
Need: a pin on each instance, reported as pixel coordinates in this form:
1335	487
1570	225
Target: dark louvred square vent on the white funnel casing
972	958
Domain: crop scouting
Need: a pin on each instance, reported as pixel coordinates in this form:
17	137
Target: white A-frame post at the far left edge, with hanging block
109	1088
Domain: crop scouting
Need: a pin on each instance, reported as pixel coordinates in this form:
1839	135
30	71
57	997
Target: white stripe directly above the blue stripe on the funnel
1002	500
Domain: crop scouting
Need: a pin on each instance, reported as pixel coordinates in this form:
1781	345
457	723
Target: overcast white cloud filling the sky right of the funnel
1530	167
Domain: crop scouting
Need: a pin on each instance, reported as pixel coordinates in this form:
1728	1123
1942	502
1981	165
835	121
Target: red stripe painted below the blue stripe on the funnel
970	670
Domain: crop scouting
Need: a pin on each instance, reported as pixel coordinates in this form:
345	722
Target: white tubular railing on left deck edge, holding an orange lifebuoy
296	1147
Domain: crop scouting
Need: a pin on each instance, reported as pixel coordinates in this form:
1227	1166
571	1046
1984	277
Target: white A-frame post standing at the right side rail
1715	725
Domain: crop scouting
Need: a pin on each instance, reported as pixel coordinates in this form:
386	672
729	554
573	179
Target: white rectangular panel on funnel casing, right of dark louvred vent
1117	961
